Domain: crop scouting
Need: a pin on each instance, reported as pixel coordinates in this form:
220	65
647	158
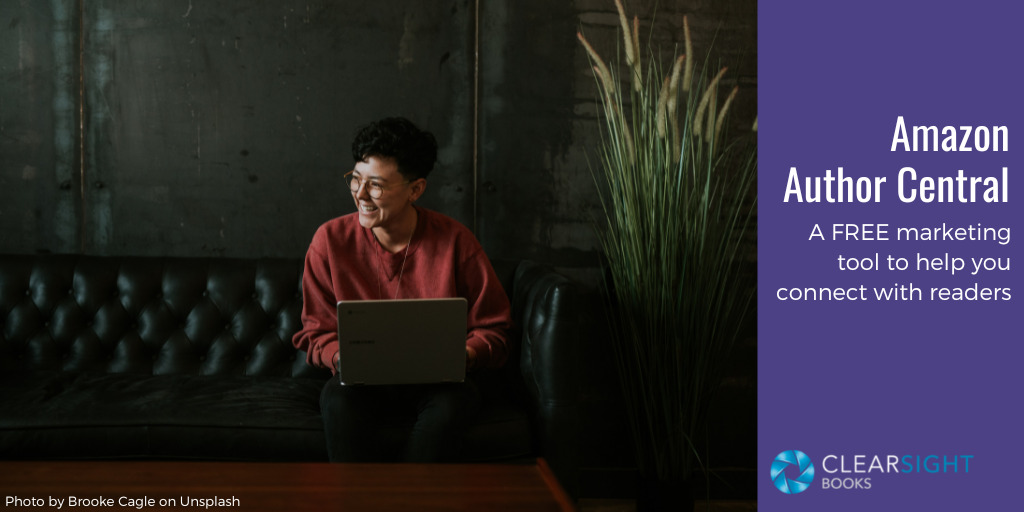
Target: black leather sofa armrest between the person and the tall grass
550	318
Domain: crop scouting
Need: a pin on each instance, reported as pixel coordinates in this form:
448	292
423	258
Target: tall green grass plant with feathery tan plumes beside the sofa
678	199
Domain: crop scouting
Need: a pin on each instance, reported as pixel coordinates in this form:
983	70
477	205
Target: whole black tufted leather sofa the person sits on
130	358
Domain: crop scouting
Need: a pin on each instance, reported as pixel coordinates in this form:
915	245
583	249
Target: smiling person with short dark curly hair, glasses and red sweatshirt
393	249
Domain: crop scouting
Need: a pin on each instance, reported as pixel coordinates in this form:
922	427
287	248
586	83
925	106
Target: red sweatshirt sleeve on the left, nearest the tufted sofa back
319	336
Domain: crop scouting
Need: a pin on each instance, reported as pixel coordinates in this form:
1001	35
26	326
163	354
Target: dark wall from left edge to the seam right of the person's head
217	129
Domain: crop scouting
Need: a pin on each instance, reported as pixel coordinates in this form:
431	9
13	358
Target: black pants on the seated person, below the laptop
429	421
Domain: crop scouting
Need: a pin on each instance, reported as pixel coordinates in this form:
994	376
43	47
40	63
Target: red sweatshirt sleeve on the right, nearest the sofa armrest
490	316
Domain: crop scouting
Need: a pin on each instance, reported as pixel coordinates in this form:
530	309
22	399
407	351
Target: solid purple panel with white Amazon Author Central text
914	376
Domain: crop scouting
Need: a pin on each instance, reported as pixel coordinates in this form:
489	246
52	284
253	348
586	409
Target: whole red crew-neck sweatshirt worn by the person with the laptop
346	262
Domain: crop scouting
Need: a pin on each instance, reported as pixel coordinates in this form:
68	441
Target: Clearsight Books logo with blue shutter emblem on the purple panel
793	472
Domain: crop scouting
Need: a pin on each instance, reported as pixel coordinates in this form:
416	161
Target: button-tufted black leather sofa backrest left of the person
151	316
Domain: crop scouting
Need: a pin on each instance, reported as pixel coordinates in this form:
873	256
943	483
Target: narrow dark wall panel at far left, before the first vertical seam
39	195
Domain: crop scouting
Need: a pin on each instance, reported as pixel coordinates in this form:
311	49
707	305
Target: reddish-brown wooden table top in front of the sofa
278	487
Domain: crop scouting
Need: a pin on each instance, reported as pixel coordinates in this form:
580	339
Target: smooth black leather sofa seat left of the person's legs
79	416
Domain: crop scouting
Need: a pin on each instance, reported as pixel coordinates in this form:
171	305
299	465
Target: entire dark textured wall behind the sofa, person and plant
199	129
